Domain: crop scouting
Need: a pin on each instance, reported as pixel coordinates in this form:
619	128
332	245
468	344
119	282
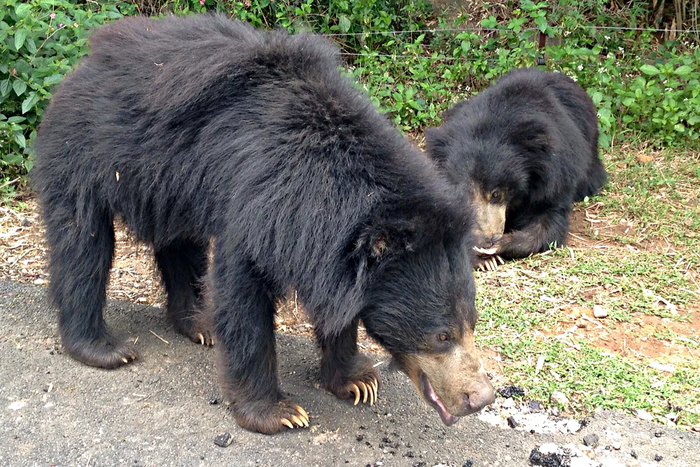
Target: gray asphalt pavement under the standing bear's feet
157	411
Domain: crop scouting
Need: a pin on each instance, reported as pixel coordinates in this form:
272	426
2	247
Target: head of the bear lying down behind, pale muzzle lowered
498	169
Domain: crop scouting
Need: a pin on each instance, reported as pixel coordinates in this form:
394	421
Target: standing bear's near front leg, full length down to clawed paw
243	320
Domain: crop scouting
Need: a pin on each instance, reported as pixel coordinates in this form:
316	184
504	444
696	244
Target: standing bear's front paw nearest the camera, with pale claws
270	417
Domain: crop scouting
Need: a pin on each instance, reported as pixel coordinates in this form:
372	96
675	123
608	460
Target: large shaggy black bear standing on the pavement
198	128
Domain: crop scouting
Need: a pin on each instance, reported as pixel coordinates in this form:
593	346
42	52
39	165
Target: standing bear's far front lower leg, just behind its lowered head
345	371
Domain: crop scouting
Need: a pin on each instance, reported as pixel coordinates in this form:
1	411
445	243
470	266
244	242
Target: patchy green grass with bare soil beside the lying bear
638	259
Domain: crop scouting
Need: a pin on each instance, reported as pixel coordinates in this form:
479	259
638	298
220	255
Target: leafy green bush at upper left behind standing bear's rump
40	41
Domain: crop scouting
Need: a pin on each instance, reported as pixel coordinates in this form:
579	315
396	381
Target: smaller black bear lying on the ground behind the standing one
525	149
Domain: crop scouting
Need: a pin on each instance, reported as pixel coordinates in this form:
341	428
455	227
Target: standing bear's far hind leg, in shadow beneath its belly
183	265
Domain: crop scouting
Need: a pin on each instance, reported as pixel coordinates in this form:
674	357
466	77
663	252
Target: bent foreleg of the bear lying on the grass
545	228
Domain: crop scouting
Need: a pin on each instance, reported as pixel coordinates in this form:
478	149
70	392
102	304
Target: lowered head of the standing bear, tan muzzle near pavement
419	305
